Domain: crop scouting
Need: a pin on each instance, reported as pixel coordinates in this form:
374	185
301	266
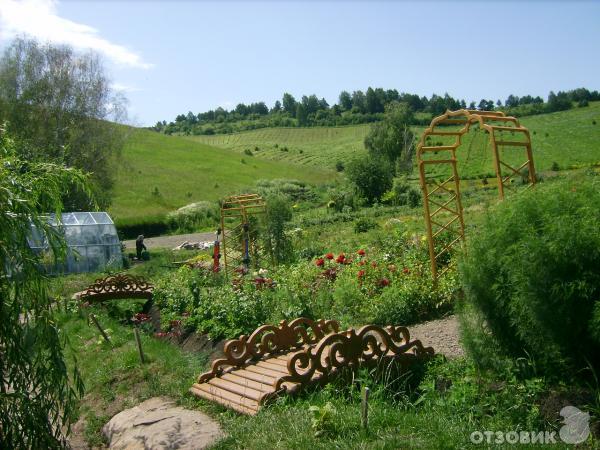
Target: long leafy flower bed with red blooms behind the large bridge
364	286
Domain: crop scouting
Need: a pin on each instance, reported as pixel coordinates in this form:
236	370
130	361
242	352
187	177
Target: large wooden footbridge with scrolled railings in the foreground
281	360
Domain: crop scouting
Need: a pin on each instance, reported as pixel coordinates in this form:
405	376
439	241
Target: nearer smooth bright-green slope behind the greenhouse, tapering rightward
160	173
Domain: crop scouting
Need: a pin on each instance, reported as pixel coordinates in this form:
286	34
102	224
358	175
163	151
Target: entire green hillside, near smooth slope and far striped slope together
183	170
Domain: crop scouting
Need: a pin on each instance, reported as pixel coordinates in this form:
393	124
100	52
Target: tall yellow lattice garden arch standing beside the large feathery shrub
440	181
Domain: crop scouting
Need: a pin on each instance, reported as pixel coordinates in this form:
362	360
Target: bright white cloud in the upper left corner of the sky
39	19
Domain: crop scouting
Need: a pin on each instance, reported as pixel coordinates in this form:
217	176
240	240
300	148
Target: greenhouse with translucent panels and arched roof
91	237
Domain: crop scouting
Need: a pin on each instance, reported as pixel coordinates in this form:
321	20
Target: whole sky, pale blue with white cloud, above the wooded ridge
171	57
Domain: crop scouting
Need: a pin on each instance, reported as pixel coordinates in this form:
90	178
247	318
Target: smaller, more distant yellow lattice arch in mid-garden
241	209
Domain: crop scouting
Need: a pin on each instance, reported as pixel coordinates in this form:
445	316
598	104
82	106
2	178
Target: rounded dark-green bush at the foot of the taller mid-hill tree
371	176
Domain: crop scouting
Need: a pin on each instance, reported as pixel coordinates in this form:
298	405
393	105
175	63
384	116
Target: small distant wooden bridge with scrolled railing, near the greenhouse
116	287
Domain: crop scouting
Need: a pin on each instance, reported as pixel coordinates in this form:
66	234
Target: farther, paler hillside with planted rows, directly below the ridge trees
568	138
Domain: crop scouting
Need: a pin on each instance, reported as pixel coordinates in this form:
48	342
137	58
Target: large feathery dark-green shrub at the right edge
532	280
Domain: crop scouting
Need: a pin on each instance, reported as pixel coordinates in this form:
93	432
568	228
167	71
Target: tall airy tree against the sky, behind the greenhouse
61	107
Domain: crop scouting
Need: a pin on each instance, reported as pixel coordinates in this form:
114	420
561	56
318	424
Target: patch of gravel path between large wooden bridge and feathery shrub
443	335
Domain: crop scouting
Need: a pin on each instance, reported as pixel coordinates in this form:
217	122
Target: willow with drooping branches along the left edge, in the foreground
37	392
